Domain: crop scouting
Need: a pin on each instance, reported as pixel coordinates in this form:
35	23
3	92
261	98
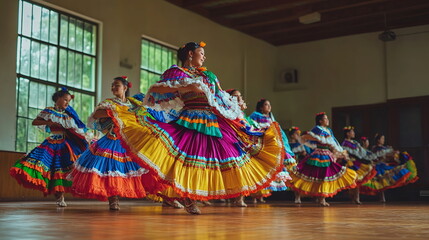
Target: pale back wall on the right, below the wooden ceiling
352	70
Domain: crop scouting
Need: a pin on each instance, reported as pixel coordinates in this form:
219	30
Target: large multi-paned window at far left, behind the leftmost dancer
54	49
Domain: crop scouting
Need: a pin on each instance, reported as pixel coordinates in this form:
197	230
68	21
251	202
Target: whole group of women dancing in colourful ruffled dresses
187	140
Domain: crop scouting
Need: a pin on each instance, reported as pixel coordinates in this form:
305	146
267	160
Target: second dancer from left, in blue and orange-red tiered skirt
105	171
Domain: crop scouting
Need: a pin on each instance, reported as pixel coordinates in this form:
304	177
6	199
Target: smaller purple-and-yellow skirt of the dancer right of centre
319	175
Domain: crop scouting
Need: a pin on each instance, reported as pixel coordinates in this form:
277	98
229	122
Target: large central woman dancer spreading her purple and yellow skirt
203	154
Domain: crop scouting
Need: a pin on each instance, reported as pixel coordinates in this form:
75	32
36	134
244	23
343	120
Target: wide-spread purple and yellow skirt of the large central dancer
201	166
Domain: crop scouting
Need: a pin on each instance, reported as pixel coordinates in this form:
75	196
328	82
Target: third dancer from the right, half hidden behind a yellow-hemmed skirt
359	160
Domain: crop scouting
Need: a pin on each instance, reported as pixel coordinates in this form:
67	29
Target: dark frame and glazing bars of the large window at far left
93	54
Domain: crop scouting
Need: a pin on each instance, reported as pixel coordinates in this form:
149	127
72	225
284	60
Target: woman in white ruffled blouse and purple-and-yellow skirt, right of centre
318	174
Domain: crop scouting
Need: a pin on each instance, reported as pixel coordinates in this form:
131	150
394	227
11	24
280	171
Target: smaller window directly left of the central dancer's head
155	59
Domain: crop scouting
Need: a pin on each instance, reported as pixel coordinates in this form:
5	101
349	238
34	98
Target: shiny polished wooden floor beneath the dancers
145	220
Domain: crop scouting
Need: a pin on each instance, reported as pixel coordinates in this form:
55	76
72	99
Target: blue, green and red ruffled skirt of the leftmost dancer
46	167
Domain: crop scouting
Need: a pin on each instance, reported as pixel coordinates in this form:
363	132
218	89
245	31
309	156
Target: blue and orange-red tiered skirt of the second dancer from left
105	169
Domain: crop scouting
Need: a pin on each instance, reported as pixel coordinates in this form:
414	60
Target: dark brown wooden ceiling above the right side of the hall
276	21
